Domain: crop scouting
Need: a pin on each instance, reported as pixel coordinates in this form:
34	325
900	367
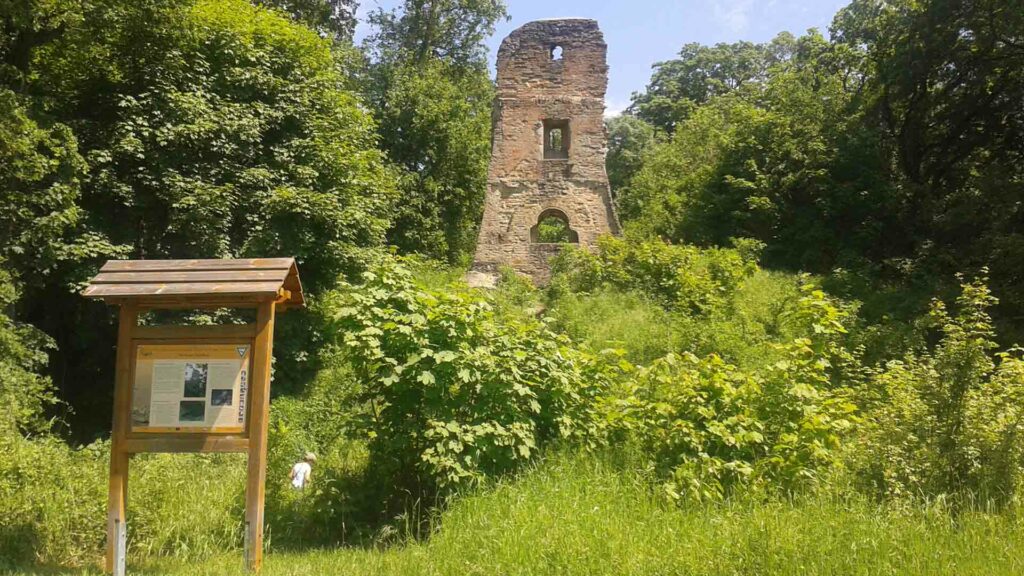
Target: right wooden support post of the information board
260	408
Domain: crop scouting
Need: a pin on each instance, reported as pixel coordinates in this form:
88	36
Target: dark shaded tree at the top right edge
945	83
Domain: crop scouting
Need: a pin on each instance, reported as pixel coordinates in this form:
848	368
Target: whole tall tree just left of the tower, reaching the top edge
433	97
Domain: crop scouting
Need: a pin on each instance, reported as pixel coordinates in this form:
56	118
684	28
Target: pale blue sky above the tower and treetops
641	33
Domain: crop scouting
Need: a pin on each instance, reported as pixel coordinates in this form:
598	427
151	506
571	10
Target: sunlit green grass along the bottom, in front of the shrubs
588	516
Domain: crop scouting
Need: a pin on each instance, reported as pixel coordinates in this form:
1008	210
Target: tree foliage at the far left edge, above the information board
41	170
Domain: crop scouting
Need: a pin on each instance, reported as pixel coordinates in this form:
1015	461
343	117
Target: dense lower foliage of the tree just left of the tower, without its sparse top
436	125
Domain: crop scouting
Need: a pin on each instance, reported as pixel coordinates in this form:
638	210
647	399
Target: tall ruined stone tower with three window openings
548	147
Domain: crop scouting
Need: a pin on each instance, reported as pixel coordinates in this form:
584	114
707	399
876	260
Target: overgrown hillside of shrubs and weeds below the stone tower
434	390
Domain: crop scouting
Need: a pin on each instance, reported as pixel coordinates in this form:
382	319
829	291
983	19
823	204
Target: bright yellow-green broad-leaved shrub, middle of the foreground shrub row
709	427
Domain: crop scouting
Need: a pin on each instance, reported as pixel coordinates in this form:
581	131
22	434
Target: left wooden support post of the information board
118	488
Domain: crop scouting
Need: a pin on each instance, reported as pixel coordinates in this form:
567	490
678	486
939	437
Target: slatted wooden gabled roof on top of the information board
198	283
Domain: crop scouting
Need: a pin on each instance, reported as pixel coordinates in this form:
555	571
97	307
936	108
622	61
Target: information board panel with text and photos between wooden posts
191	388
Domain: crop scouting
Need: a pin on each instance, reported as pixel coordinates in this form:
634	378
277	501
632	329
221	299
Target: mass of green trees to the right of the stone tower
892	149
